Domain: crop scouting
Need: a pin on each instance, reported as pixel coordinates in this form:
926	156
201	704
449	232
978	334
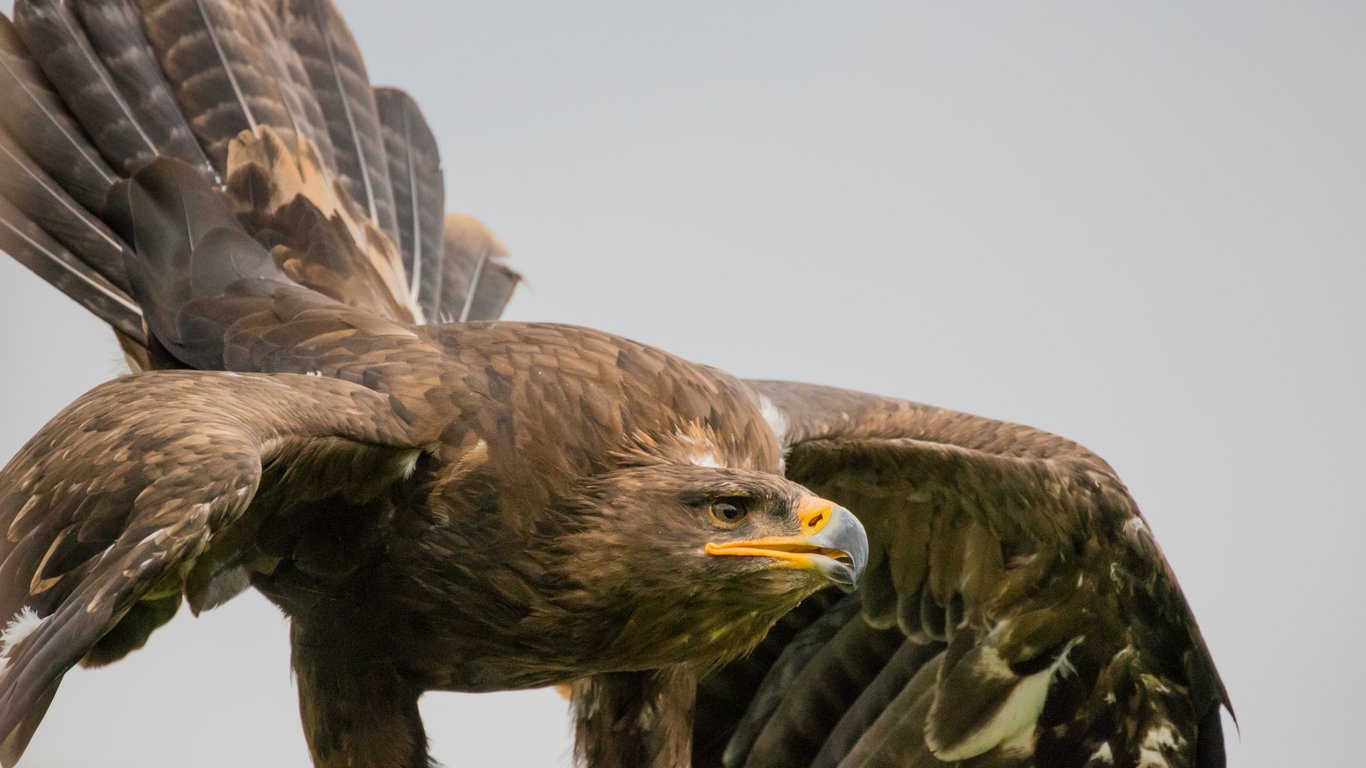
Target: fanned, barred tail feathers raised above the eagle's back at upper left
270	102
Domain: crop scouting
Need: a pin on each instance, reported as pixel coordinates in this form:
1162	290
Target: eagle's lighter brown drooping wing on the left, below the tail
162	484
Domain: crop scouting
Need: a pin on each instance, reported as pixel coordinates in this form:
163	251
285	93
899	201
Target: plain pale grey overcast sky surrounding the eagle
1136	225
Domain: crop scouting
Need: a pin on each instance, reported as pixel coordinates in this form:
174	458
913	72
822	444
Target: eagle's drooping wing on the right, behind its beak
1016	609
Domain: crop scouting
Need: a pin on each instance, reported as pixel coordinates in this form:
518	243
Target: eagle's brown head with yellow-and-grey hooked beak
695	564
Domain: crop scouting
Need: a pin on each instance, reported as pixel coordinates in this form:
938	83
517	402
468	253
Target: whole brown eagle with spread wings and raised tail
327	409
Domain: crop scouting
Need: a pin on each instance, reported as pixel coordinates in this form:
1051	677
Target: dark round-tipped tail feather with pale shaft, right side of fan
419	193
